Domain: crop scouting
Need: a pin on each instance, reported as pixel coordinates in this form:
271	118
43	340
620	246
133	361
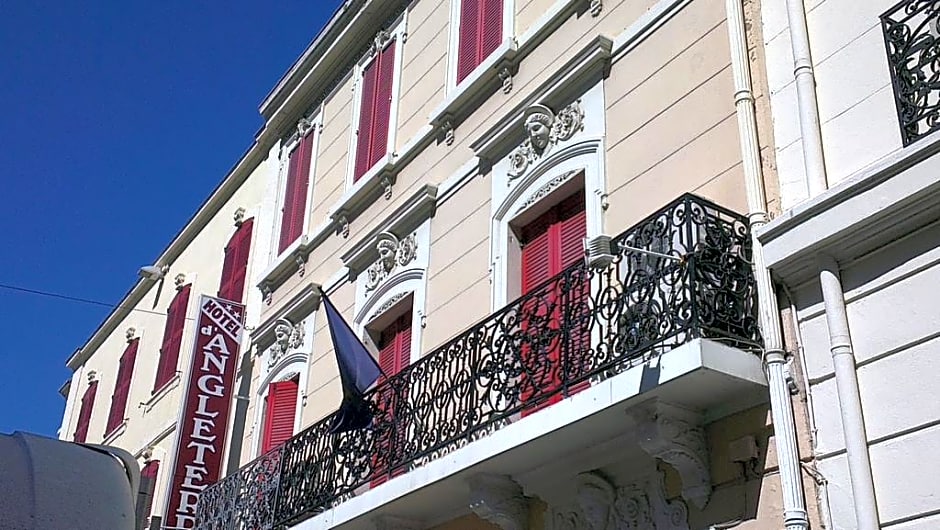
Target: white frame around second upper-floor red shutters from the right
398	34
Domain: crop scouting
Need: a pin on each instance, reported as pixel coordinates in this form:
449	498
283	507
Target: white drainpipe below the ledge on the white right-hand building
850	402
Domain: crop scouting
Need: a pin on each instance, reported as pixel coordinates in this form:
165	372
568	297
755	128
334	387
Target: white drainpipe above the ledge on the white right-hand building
813	159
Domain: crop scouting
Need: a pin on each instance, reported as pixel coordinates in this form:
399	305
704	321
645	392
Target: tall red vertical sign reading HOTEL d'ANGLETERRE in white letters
204	423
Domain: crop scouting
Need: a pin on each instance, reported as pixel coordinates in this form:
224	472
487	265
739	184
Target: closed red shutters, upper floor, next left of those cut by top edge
375	110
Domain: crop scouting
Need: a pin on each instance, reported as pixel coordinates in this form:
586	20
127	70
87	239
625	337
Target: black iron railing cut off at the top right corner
912	38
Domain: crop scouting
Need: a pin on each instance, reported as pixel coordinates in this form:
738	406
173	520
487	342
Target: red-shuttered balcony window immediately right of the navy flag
394	356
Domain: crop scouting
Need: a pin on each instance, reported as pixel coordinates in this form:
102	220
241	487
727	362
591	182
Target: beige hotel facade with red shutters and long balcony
539	215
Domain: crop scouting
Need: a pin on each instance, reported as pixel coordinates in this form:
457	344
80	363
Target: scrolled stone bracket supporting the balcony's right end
675	436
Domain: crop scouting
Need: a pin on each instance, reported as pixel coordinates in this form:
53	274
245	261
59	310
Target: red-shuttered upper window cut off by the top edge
481	32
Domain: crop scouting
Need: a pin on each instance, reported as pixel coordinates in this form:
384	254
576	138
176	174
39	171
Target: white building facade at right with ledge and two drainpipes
855	250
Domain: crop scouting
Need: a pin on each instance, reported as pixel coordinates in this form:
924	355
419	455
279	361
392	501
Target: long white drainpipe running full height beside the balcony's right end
794	504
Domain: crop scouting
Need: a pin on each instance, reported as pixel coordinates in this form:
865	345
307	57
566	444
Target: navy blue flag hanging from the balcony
357	371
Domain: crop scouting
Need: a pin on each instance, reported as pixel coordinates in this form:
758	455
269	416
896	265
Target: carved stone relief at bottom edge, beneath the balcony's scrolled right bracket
638	506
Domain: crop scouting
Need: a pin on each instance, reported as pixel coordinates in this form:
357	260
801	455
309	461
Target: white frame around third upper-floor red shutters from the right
287	147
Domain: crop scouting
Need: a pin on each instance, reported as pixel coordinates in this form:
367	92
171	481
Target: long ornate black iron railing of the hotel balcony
582	326
